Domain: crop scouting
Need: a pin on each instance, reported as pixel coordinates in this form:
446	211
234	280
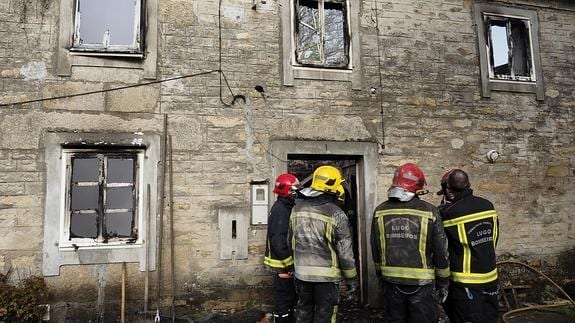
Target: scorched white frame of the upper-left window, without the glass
136	48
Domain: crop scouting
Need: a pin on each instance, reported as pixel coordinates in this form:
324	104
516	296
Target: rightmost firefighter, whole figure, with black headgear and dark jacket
471	226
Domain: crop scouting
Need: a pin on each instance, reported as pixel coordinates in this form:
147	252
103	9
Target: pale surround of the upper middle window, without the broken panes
292	71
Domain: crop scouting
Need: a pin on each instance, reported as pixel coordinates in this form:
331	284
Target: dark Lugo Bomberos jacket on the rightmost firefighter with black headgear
471	226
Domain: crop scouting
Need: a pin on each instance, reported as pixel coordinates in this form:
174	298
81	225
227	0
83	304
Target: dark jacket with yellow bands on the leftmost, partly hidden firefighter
278	256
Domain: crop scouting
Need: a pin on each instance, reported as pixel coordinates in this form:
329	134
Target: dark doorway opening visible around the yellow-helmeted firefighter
303	165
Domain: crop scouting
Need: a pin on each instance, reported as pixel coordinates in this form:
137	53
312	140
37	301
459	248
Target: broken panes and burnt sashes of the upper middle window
322	33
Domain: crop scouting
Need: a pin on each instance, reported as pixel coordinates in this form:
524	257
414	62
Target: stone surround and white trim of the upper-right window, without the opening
488	82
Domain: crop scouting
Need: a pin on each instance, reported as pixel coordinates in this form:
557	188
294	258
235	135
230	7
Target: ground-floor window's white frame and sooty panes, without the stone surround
102	195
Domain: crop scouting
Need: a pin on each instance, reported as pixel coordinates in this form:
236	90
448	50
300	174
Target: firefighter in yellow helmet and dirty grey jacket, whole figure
322	248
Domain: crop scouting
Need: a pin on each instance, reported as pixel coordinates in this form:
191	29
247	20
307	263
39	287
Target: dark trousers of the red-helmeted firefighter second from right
413	304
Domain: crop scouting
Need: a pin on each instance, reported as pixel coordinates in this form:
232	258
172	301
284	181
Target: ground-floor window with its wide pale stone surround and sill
101	199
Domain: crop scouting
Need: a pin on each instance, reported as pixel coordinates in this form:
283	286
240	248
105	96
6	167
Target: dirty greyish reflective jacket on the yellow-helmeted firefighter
321	241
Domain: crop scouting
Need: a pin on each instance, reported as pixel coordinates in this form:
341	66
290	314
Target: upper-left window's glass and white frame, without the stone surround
107	26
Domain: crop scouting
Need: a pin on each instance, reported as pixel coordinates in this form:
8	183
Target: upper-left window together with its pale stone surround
100	33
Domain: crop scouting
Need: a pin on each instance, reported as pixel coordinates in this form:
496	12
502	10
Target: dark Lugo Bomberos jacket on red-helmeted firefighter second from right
408	243
